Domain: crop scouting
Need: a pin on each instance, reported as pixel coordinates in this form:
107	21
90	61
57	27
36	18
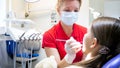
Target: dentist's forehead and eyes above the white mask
69	6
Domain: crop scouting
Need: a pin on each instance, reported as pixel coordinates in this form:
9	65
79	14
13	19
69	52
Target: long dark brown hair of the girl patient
107	32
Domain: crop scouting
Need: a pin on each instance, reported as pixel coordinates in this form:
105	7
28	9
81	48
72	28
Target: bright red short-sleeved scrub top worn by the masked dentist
56	32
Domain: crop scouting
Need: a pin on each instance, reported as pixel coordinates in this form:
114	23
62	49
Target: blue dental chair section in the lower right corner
113	63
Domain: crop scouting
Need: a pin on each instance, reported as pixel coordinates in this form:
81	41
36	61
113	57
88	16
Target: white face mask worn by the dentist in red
69	18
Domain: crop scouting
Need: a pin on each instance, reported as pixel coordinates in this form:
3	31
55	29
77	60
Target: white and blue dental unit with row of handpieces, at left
23	45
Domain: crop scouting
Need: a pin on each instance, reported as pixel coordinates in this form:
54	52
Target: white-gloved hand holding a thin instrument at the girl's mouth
71	47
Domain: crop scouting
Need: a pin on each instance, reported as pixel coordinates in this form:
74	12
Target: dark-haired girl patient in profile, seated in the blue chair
100	43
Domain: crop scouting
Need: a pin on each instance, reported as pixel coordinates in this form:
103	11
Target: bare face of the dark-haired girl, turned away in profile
88	41
